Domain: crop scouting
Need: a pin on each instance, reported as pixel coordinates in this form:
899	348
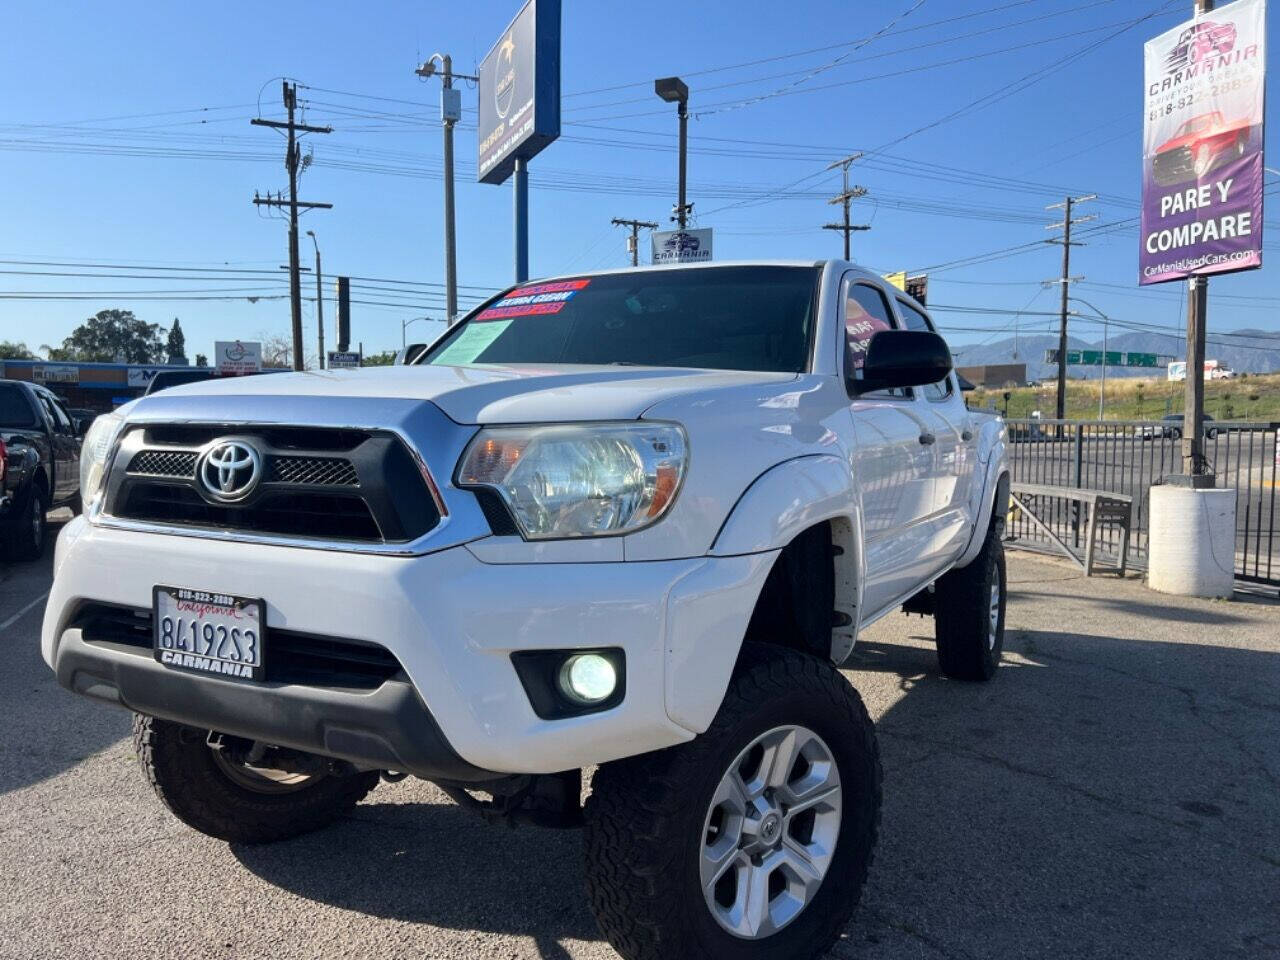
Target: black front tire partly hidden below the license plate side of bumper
182	770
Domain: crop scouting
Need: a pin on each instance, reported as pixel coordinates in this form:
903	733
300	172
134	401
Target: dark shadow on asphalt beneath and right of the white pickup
1094	801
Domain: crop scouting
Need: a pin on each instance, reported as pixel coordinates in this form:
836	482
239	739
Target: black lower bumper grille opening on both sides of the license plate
291	657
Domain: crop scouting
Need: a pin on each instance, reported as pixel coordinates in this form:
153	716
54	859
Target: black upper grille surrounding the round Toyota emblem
332	484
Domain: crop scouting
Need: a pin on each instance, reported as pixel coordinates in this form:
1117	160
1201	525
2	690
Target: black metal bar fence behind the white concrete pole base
1128	456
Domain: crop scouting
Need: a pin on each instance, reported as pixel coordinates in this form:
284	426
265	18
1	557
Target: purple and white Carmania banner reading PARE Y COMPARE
1203	145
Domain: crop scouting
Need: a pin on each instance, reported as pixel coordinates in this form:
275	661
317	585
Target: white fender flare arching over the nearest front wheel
788	500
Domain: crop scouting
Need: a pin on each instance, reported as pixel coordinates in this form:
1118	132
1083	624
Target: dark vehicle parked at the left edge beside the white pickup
43	450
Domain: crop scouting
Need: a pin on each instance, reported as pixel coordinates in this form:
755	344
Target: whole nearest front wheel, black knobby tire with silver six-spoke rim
752	842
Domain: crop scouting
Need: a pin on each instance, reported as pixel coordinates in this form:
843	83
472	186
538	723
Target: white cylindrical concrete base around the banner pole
1192	542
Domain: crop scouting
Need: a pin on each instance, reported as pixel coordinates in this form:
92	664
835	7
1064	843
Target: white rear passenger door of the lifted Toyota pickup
954	451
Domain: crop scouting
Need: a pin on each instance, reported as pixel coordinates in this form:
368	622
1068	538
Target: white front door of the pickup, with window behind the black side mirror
892	461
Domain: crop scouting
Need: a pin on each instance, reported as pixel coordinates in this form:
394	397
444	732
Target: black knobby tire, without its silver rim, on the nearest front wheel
647	815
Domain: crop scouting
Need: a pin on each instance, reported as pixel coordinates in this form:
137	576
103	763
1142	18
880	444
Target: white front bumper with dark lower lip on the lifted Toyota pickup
459	711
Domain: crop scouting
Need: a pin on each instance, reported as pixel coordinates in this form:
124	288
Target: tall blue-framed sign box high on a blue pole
520	92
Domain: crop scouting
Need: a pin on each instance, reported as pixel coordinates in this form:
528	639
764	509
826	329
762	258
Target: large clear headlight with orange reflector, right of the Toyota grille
579	479
